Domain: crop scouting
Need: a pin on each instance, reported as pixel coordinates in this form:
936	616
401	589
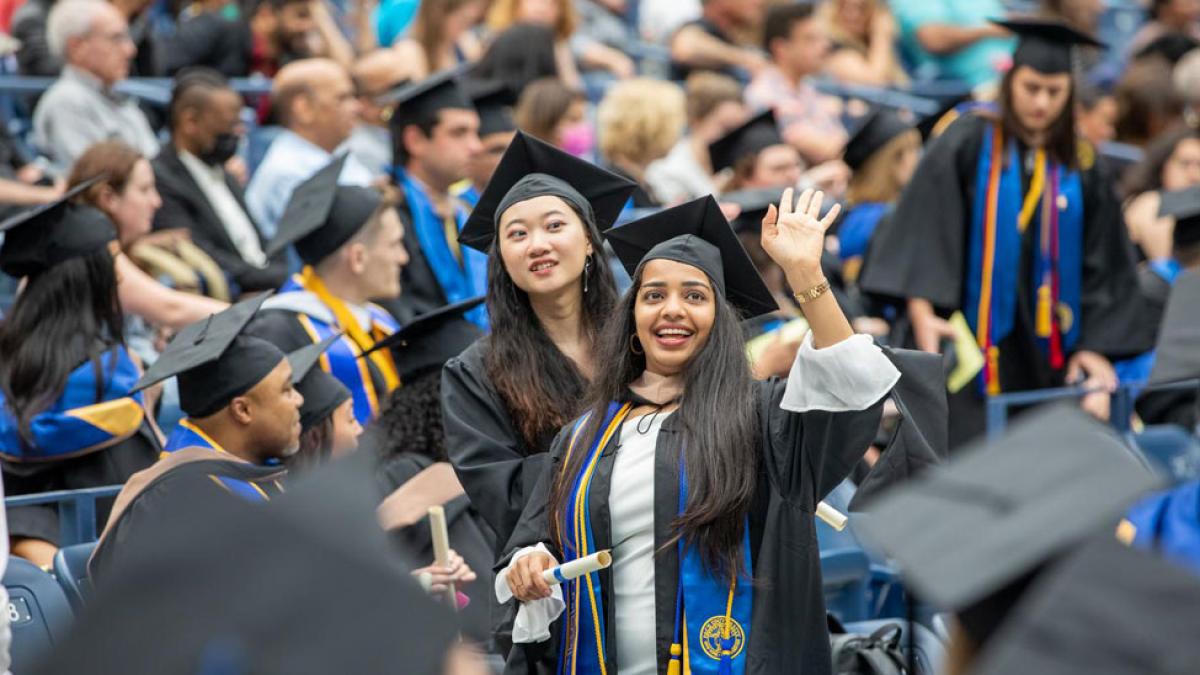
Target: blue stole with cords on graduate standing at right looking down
1054	205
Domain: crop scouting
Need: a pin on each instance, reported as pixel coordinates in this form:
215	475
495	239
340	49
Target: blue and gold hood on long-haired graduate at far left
80	422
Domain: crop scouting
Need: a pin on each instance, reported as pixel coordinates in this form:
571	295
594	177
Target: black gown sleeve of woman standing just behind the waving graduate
490	459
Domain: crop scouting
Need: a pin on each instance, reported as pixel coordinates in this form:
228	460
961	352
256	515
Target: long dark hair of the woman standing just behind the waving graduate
542	387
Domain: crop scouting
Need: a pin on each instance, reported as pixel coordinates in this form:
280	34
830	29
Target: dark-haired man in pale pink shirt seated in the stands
809	121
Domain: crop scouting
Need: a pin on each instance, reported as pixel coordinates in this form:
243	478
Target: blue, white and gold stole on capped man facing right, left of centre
343	359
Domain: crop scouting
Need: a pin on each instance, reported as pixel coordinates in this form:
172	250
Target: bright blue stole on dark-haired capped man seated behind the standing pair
461	272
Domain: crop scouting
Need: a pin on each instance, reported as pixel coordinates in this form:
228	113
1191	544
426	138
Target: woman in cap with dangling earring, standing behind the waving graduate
550	291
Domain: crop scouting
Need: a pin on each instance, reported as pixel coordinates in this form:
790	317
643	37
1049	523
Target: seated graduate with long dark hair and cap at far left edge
70	419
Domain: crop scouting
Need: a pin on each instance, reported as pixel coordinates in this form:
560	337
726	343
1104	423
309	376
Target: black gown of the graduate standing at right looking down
922	253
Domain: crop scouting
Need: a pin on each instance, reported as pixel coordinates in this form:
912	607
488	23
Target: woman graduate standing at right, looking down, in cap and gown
1013	222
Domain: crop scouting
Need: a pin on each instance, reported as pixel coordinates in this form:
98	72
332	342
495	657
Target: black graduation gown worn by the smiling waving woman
803	457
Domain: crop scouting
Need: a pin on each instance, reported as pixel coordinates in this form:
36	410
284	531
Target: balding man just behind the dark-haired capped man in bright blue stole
375	76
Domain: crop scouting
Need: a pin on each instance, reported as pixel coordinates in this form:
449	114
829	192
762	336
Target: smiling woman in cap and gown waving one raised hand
701	481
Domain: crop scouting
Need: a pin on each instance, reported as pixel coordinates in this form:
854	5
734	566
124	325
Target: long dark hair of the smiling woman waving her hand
717	416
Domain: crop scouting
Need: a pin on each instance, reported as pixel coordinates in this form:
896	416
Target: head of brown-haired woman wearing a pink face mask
557	115
